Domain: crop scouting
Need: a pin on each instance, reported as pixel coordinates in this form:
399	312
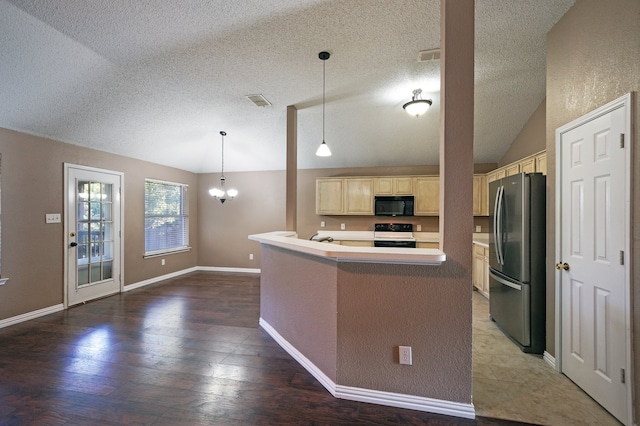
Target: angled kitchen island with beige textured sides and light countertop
342	312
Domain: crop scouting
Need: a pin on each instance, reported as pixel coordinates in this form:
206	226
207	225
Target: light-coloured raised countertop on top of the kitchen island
290	240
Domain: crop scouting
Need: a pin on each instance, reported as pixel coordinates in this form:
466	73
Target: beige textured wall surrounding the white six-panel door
593	57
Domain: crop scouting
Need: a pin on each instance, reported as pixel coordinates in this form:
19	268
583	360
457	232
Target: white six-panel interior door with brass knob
593	198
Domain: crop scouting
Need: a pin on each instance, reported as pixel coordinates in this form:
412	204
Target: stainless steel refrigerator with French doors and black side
517	259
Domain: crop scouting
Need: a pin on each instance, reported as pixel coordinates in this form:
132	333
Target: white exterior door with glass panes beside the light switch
92	228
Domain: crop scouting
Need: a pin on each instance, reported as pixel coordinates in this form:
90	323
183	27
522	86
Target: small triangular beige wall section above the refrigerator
531	139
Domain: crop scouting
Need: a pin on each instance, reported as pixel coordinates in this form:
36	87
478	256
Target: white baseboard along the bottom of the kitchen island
412	402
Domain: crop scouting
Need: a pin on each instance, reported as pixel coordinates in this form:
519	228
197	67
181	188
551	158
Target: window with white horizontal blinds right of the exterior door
166	217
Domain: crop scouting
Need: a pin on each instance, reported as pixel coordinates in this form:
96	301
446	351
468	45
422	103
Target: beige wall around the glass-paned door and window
33	185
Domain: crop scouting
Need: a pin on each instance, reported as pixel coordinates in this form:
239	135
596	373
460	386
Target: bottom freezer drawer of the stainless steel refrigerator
509	307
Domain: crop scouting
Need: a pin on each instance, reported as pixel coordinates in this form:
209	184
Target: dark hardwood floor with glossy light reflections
185	351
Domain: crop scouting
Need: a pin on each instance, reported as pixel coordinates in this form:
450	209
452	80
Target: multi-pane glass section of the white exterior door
95	232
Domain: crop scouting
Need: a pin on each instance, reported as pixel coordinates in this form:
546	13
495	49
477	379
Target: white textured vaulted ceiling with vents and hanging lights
158	80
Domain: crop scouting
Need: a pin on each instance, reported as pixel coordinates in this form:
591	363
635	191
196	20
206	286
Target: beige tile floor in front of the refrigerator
509	384
